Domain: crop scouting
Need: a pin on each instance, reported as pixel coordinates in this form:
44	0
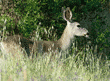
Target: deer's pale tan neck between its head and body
65	41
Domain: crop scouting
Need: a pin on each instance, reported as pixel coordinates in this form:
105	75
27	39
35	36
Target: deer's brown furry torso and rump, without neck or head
13	44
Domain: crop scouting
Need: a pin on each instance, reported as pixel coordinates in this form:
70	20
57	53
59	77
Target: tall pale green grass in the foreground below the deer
73	68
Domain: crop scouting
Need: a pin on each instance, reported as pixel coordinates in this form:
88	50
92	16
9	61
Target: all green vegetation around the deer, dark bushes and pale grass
39	20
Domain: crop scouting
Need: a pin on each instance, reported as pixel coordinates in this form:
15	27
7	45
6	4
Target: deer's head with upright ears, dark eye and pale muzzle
73	28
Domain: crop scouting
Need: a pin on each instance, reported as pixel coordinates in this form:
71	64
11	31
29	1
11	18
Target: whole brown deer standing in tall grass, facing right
11	44
